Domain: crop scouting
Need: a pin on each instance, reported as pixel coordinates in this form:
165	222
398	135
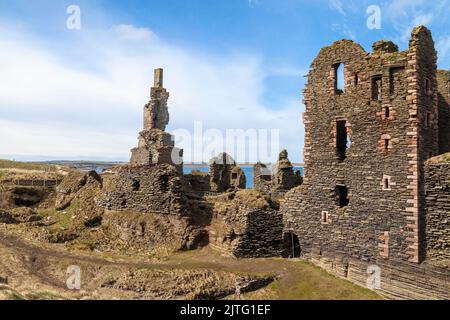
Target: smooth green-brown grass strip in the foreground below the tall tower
296	280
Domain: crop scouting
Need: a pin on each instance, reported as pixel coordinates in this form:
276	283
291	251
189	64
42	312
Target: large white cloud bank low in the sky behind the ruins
89	105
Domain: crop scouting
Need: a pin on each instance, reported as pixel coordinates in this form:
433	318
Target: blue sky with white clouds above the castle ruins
234	64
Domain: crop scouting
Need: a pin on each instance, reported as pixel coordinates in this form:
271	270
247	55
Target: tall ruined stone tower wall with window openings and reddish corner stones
366	202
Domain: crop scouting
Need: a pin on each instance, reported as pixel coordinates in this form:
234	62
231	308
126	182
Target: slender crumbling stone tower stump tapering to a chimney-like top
155	145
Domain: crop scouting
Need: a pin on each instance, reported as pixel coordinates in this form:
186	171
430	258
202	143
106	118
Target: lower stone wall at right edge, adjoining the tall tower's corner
437	187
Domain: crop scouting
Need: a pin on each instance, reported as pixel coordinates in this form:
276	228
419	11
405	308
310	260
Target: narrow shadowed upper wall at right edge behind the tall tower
443	79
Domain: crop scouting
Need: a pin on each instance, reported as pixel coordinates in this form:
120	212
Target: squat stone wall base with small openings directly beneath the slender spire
144	189
